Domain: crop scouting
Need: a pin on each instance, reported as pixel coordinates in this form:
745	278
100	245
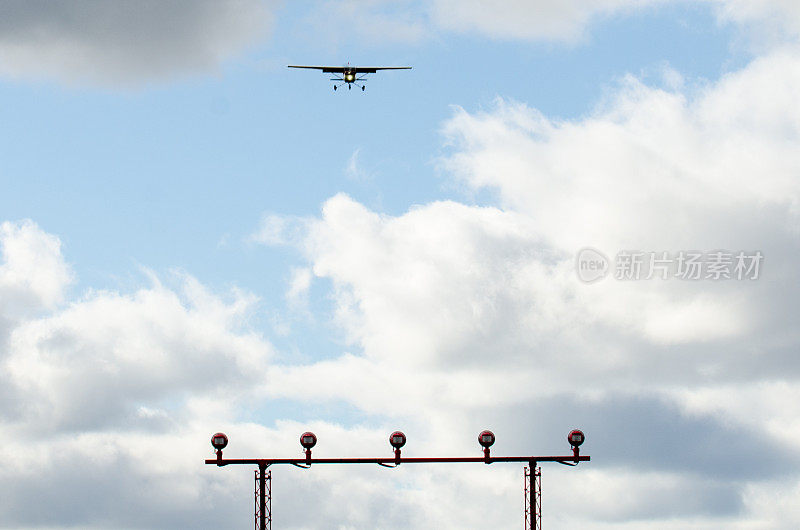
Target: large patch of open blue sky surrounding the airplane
186	167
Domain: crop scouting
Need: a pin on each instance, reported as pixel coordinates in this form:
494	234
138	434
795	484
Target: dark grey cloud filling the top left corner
125	42
